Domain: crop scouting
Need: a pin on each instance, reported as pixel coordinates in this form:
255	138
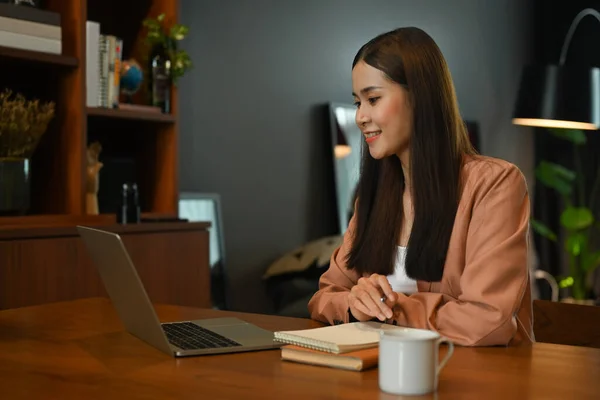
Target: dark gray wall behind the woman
249	126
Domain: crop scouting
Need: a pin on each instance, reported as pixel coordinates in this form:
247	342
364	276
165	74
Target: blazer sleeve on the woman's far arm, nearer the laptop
330	303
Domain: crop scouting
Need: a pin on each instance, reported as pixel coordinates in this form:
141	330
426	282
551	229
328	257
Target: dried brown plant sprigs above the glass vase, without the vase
22	124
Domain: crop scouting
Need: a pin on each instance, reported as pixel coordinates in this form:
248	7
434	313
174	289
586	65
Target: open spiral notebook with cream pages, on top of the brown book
336	339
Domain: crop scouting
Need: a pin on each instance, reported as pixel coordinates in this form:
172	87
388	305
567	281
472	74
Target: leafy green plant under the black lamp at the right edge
577	218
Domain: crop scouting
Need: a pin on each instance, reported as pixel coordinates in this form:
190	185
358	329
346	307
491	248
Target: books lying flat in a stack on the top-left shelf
29	28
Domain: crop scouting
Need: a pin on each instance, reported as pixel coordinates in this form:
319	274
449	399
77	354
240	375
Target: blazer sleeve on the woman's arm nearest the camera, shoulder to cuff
495	275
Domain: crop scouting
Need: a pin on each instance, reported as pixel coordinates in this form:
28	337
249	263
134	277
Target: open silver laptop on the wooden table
180	338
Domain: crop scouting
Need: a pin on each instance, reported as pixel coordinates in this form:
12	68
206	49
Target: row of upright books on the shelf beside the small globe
104	54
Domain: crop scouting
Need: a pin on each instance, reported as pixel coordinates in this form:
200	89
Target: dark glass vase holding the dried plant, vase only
14	186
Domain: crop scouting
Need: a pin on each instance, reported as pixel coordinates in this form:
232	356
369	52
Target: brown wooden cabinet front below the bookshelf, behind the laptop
171	259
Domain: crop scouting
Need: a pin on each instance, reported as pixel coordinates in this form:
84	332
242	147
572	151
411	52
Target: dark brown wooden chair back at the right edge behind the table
563	323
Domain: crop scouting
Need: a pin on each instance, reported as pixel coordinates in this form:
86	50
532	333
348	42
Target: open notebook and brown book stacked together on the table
353	346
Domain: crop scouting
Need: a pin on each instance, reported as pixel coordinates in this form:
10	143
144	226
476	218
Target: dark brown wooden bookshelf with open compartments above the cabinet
58	167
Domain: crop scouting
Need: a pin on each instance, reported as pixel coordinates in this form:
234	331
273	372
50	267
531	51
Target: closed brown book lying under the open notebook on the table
358	360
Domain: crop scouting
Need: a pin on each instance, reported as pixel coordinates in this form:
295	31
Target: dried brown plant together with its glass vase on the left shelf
22	124
